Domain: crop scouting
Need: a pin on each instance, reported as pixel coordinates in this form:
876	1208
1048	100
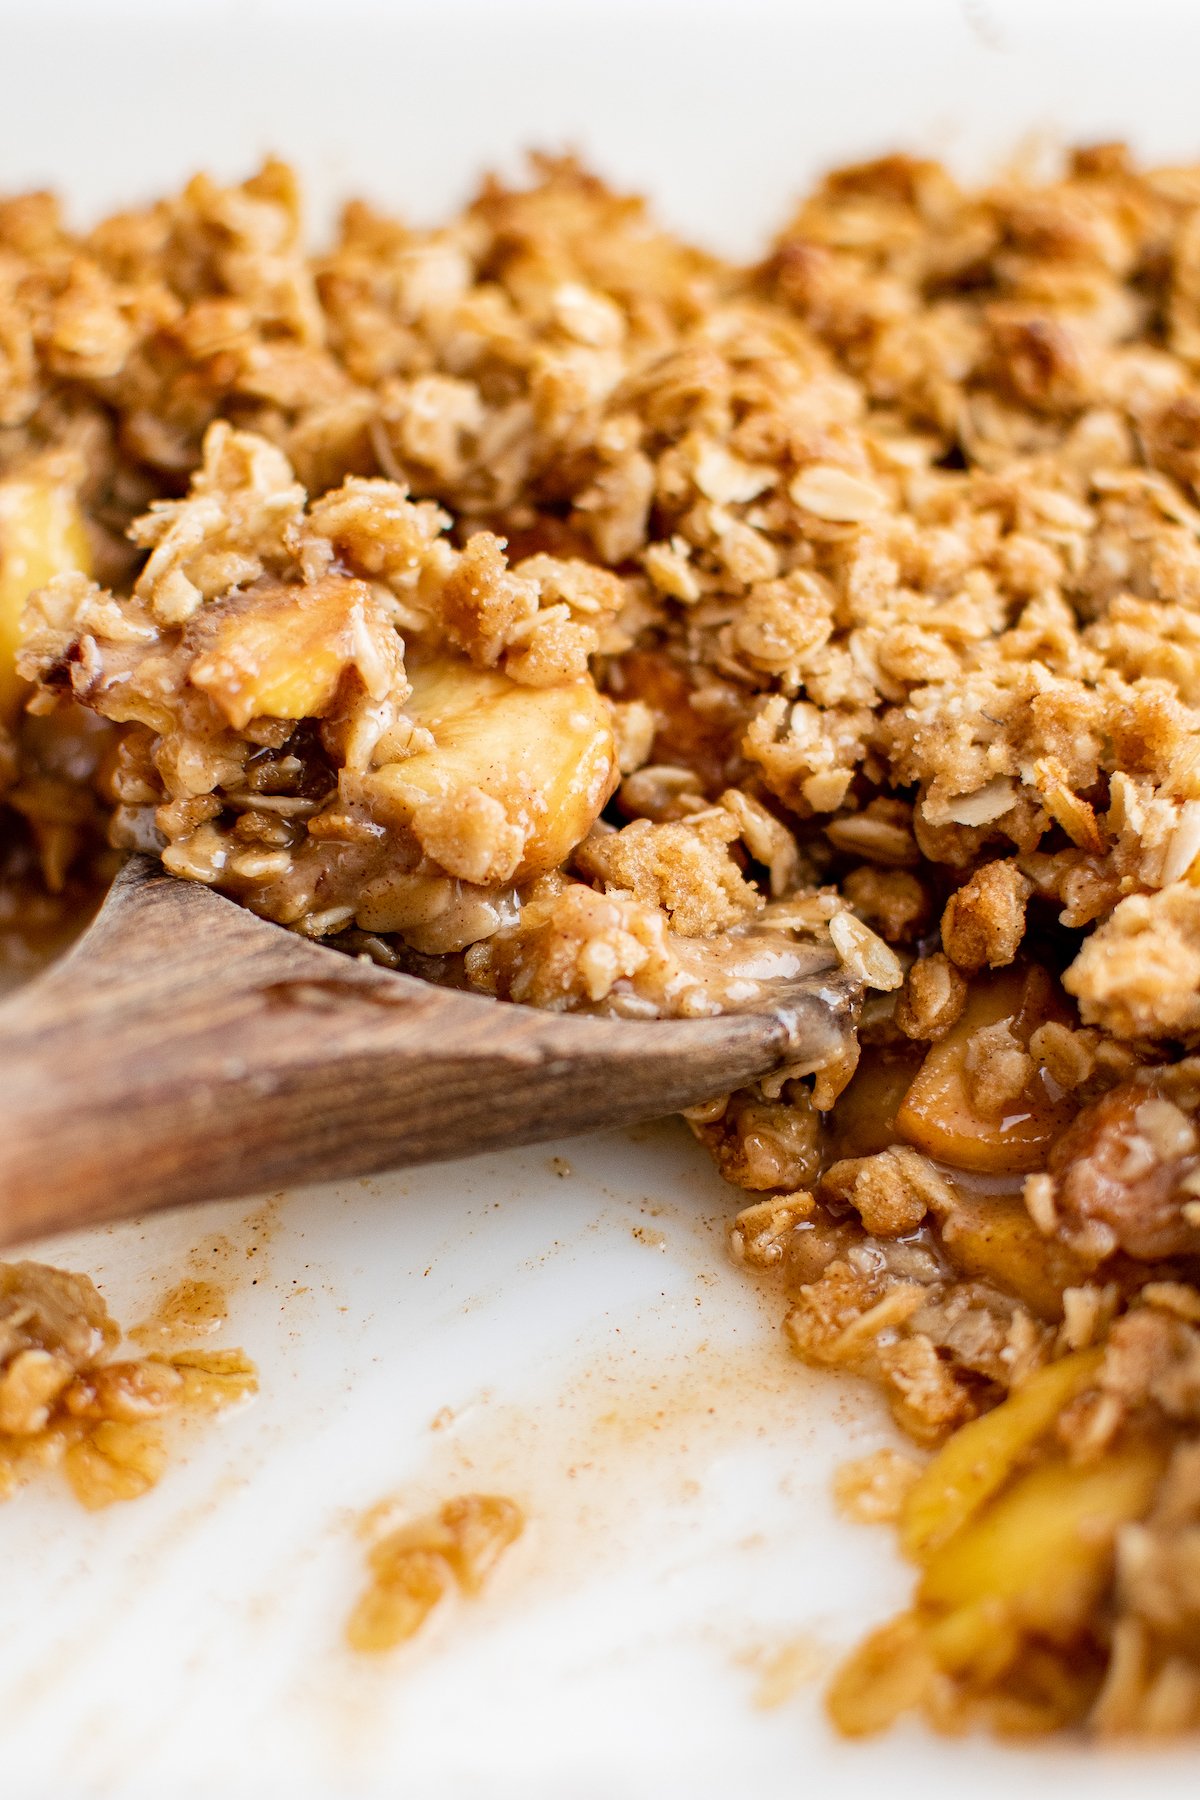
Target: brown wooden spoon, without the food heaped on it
184	1050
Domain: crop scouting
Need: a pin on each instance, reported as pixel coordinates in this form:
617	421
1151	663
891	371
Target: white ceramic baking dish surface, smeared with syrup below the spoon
598	1356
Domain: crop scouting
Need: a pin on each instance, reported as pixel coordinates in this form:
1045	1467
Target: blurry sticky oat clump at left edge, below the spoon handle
67	1399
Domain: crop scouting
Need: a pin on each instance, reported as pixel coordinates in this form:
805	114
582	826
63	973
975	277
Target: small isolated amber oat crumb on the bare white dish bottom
416	1567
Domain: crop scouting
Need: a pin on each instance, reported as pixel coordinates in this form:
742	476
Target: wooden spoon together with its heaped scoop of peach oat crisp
332	714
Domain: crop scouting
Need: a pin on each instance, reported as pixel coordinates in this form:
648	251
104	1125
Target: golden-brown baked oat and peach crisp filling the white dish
548	606
